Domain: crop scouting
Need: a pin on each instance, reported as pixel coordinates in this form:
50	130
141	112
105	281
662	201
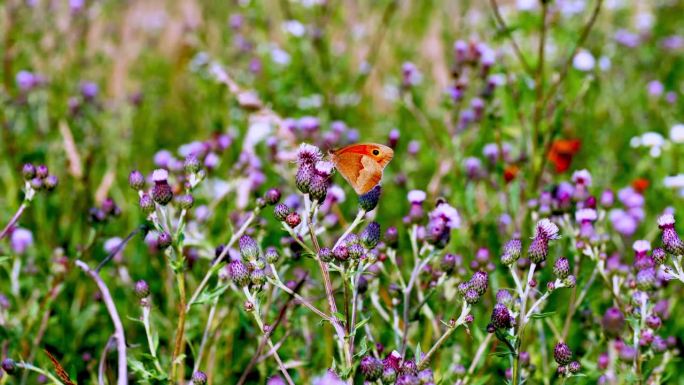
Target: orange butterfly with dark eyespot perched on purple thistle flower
361	164
